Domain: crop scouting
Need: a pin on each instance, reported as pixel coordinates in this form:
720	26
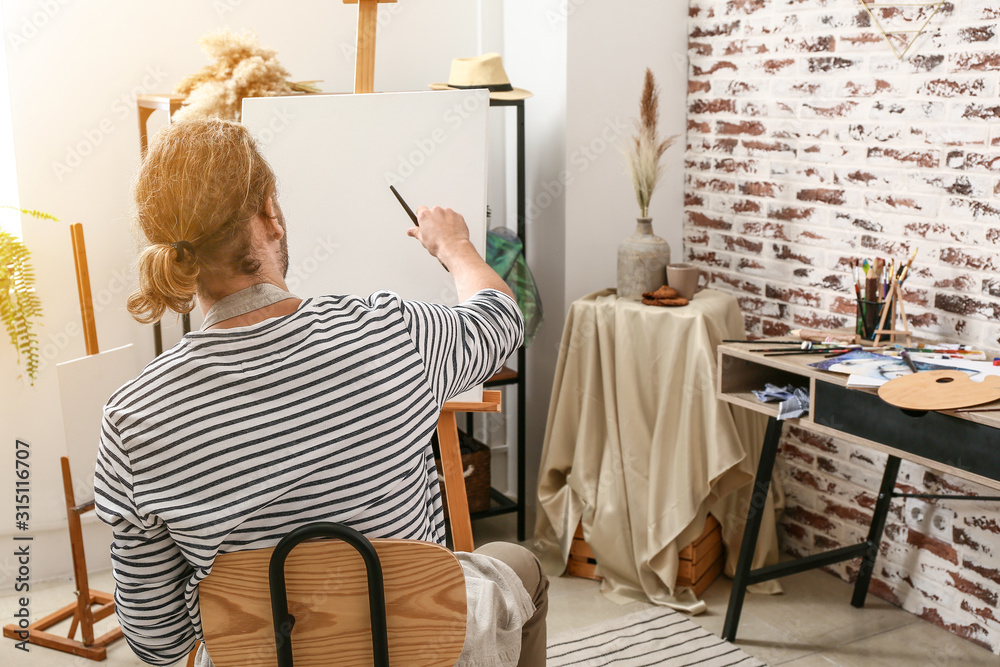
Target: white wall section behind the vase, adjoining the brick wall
610	45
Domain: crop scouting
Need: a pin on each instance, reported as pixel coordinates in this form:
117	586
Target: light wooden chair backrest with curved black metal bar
347	602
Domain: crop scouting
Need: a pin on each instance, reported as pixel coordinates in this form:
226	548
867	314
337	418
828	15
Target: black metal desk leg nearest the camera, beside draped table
762	486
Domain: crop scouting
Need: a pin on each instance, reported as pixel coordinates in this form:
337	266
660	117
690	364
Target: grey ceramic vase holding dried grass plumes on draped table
643	257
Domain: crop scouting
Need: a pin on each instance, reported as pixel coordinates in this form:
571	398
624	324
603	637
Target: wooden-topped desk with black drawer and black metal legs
962	444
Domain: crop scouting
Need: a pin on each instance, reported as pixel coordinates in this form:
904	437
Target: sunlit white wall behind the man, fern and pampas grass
74	68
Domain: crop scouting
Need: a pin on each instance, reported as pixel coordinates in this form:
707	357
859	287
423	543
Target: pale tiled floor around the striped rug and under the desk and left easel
811	625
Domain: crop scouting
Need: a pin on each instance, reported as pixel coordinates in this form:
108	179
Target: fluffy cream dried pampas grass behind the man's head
241	68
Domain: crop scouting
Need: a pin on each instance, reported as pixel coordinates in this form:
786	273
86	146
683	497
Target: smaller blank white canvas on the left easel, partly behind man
85	385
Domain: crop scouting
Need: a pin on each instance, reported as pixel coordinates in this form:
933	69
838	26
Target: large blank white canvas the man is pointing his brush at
335	157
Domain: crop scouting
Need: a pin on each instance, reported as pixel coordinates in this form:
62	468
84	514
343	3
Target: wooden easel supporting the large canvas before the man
451	455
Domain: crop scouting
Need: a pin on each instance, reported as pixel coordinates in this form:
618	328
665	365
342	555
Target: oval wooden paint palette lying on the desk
939	390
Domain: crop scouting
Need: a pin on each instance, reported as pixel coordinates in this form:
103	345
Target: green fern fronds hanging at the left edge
19	305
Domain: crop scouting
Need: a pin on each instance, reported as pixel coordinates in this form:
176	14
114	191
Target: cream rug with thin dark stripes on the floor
657	636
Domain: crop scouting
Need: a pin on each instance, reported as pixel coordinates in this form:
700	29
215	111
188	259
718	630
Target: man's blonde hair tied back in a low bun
199	186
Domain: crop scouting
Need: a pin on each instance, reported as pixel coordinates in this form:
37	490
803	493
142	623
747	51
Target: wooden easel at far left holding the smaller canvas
83	611
